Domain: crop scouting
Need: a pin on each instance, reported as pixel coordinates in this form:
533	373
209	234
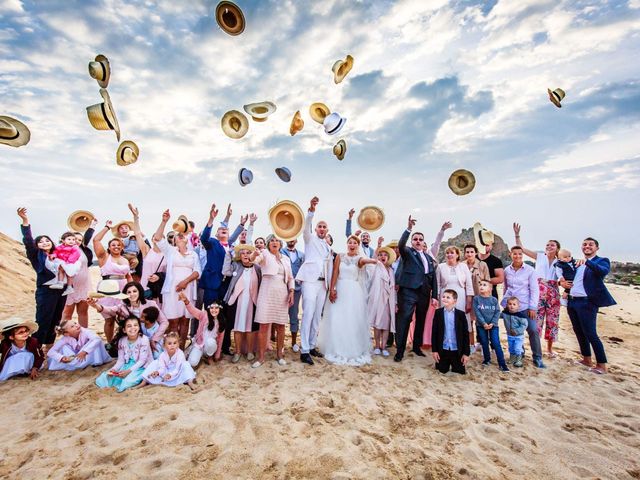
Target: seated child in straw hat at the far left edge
21	353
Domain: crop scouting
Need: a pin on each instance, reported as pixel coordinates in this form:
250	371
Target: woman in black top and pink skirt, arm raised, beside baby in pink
77	300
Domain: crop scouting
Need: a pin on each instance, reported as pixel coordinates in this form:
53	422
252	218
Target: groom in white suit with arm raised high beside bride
314	277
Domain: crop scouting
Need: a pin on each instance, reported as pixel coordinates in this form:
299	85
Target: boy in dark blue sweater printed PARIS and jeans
487	313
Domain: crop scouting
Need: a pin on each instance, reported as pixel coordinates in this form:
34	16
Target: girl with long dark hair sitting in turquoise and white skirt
134	355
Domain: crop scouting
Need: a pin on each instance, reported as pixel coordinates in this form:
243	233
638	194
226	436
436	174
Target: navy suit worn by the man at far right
583	311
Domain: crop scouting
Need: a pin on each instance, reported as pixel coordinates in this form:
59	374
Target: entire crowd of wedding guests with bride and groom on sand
179	289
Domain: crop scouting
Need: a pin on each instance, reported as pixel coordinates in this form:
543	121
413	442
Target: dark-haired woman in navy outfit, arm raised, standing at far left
49	301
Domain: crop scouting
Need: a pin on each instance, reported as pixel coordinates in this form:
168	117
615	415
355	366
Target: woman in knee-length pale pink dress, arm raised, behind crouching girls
183	269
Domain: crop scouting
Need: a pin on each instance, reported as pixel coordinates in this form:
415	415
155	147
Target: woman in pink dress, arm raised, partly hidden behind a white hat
113	266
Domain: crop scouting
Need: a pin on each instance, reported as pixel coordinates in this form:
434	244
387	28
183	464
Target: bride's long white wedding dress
345	336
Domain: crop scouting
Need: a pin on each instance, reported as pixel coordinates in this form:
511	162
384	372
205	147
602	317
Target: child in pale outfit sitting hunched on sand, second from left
77	348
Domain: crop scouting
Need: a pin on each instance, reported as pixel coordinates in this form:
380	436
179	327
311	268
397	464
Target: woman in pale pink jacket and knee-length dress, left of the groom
274	298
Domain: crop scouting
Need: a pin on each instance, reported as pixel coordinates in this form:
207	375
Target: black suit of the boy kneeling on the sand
450	358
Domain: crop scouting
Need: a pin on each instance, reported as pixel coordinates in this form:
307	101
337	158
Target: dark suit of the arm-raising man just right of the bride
415	293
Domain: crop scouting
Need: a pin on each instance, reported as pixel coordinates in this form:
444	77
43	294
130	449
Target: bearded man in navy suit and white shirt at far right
588	293
